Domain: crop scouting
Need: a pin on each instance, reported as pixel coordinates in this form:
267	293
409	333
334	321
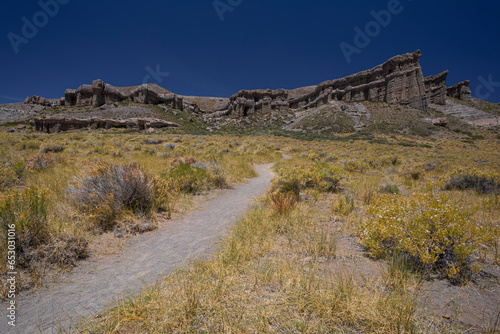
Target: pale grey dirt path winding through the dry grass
145	258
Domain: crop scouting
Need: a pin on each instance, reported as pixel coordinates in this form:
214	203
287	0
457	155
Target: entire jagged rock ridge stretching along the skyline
399	80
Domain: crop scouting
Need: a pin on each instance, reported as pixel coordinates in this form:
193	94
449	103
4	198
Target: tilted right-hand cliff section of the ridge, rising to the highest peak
399	80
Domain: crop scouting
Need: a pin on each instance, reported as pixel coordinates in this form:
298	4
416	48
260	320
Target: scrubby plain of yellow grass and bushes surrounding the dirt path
285	266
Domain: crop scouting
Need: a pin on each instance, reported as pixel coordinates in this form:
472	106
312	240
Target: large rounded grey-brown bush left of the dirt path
105	189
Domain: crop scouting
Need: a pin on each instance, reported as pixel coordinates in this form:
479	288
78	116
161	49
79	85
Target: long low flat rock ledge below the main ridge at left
55	124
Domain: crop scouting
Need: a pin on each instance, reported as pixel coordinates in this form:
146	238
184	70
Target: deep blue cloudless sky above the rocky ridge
260	44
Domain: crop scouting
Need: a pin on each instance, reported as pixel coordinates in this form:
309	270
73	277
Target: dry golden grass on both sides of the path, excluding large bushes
275	272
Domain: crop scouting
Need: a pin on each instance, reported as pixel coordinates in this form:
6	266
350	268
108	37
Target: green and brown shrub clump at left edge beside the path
38	244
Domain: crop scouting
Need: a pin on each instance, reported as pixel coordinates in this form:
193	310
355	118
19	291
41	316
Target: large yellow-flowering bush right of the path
433	230
